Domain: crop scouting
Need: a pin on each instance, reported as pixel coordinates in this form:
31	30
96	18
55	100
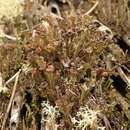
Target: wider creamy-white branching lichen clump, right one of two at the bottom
85	118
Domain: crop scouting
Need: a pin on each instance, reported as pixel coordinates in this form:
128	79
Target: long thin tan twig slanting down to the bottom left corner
11	100
